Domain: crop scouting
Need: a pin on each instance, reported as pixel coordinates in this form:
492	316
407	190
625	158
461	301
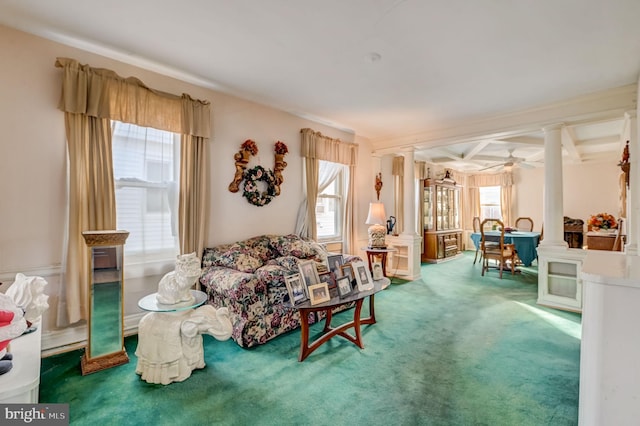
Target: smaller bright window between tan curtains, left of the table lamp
330	201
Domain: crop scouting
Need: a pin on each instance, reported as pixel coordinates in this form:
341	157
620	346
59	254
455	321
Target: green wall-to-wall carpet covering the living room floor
452	349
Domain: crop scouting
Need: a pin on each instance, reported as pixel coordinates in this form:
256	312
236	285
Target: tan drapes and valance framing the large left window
91	97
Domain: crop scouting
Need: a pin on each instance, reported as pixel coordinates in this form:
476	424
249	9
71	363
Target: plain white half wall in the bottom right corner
610	349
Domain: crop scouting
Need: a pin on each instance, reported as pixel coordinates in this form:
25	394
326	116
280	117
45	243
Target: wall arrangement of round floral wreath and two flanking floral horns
251	177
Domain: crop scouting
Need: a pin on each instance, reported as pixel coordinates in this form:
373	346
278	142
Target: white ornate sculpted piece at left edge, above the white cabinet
28	293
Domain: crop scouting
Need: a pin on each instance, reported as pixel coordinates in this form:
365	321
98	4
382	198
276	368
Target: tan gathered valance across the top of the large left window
102	93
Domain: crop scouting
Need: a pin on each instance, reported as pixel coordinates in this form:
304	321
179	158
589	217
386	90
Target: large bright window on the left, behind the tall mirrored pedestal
146	170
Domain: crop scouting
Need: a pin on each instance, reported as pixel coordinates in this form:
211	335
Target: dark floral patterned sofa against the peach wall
247	277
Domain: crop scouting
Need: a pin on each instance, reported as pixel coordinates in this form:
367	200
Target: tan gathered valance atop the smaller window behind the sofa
317	146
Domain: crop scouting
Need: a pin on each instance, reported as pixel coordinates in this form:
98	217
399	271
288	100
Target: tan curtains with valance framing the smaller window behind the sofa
316	147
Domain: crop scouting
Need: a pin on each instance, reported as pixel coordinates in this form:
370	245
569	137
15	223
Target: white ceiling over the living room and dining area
384	69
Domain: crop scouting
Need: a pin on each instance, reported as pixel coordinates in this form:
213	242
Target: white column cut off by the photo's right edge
633	192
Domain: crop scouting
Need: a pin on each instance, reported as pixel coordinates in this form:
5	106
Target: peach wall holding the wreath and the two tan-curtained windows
33	160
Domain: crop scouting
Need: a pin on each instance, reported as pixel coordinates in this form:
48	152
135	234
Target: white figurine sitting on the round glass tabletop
175	286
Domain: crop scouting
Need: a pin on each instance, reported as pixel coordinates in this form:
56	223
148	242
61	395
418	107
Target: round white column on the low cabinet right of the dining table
553	197
